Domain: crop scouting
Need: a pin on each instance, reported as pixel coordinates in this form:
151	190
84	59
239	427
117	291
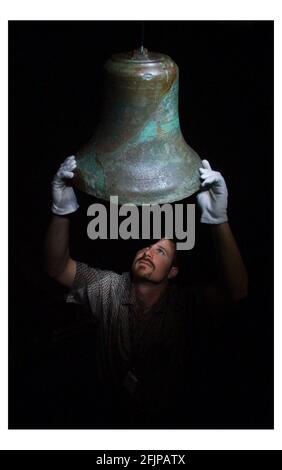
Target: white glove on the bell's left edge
64	199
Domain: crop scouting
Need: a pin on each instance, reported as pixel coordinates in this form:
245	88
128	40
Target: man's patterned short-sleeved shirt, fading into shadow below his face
144	356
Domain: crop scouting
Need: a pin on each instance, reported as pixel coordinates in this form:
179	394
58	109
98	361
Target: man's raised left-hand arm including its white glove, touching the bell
59	264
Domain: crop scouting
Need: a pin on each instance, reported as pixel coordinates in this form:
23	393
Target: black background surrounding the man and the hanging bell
226	115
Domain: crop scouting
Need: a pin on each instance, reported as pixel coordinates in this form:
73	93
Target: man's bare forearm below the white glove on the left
57	245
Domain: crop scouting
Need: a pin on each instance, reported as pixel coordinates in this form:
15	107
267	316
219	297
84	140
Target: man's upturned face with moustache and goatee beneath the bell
154	263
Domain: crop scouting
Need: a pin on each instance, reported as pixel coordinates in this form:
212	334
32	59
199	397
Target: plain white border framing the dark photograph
157	10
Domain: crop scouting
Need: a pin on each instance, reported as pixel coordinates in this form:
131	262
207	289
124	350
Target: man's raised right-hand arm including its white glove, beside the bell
232	274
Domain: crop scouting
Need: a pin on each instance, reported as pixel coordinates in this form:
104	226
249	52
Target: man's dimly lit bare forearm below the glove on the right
232	270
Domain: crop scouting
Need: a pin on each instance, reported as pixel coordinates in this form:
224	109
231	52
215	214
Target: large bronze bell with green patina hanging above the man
138	152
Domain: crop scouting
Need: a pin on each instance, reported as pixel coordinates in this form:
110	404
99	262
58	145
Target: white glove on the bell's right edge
213	197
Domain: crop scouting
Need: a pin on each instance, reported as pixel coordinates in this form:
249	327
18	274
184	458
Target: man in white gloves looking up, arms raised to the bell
147	329
